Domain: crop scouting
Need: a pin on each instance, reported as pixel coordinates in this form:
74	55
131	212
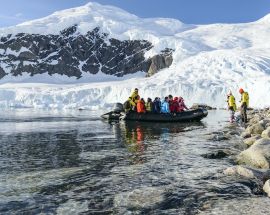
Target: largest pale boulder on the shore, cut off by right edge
258	155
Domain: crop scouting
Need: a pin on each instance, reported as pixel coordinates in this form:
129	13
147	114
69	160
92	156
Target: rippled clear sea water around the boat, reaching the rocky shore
75	163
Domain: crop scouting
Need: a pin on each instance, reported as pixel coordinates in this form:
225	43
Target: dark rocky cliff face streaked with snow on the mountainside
71	53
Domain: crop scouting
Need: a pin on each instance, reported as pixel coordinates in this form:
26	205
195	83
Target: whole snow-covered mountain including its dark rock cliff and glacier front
89	46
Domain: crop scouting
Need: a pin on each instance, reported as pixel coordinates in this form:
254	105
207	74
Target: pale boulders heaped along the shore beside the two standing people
254	161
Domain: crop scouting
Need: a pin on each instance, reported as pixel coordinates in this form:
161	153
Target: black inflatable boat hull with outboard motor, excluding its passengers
185	116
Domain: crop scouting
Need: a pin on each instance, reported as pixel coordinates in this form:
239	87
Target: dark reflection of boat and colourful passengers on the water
136	136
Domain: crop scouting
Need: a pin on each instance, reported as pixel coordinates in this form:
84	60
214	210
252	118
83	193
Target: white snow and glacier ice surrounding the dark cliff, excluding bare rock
208	61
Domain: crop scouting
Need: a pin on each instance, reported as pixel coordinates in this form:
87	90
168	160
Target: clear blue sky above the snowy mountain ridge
188	11
